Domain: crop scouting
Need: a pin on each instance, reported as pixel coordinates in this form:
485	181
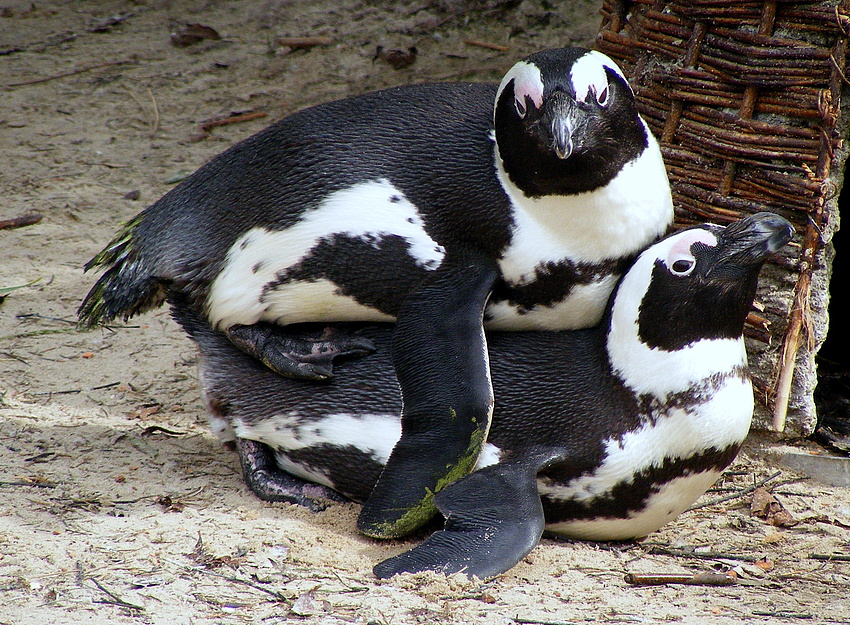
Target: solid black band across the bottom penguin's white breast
630	497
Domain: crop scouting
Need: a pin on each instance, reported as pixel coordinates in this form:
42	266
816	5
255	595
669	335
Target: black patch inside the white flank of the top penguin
375	271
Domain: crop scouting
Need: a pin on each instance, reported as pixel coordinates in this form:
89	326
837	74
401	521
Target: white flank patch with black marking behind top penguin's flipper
325	267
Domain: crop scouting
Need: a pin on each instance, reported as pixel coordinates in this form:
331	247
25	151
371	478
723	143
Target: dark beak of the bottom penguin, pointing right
751	240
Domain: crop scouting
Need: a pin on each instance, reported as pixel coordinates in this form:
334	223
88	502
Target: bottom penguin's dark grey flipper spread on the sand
493	519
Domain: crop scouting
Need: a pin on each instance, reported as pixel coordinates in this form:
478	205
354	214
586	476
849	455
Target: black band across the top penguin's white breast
553	282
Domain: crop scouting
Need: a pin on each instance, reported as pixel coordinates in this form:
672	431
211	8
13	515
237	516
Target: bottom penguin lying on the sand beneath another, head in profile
605	433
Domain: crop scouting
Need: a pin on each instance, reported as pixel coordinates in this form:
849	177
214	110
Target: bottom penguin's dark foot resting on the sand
269	482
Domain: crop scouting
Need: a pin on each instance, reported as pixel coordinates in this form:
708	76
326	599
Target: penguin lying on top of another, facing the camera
440	207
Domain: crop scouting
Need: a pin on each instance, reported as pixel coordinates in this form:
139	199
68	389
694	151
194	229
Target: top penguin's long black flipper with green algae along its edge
440	358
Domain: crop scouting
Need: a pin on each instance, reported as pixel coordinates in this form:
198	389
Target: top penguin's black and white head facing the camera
566	122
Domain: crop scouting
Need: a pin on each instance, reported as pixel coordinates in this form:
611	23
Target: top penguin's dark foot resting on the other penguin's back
296	355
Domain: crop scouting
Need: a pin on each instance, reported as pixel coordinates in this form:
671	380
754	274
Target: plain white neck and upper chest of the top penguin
610	222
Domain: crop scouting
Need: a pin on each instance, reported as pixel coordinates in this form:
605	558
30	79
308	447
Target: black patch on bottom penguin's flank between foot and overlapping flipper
352	471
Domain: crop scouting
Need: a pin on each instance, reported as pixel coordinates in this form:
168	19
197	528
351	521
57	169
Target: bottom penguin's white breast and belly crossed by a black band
649	475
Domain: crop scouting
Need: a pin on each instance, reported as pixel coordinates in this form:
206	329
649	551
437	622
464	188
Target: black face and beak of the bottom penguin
706	292
